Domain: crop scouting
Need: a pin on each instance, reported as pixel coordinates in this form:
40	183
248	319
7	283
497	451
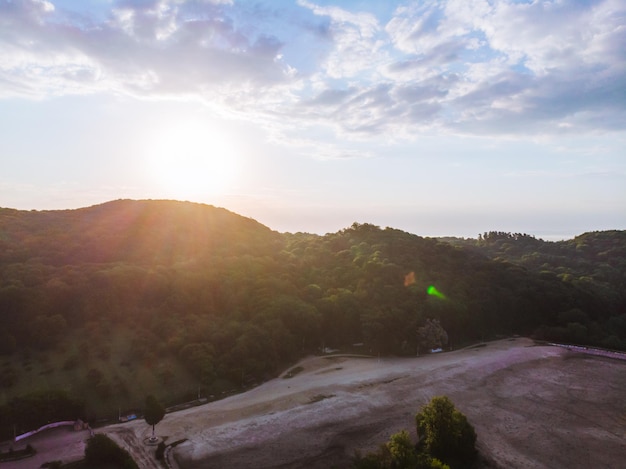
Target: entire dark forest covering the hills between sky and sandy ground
129	298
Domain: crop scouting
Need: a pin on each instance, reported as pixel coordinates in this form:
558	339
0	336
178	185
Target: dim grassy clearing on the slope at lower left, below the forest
116	385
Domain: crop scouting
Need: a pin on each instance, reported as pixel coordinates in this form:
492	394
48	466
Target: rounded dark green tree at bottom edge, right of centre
445	433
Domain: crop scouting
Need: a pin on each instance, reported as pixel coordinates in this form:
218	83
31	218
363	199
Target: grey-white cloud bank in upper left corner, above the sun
182	53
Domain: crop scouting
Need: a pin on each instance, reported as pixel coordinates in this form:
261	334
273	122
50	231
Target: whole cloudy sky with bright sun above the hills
440	118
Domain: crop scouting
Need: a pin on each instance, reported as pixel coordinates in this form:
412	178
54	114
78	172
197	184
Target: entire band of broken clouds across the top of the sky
464	66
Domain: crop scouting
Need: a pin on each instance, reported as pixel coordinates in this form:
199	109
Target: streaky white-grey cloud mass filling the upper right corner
523	67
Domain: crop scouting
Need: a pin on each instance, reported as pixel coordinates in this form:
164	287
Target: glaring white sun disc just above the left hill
191	161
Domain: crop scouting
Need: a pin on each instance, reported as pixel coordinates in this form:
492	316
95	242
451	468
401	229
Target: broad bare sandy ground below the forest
531	406
